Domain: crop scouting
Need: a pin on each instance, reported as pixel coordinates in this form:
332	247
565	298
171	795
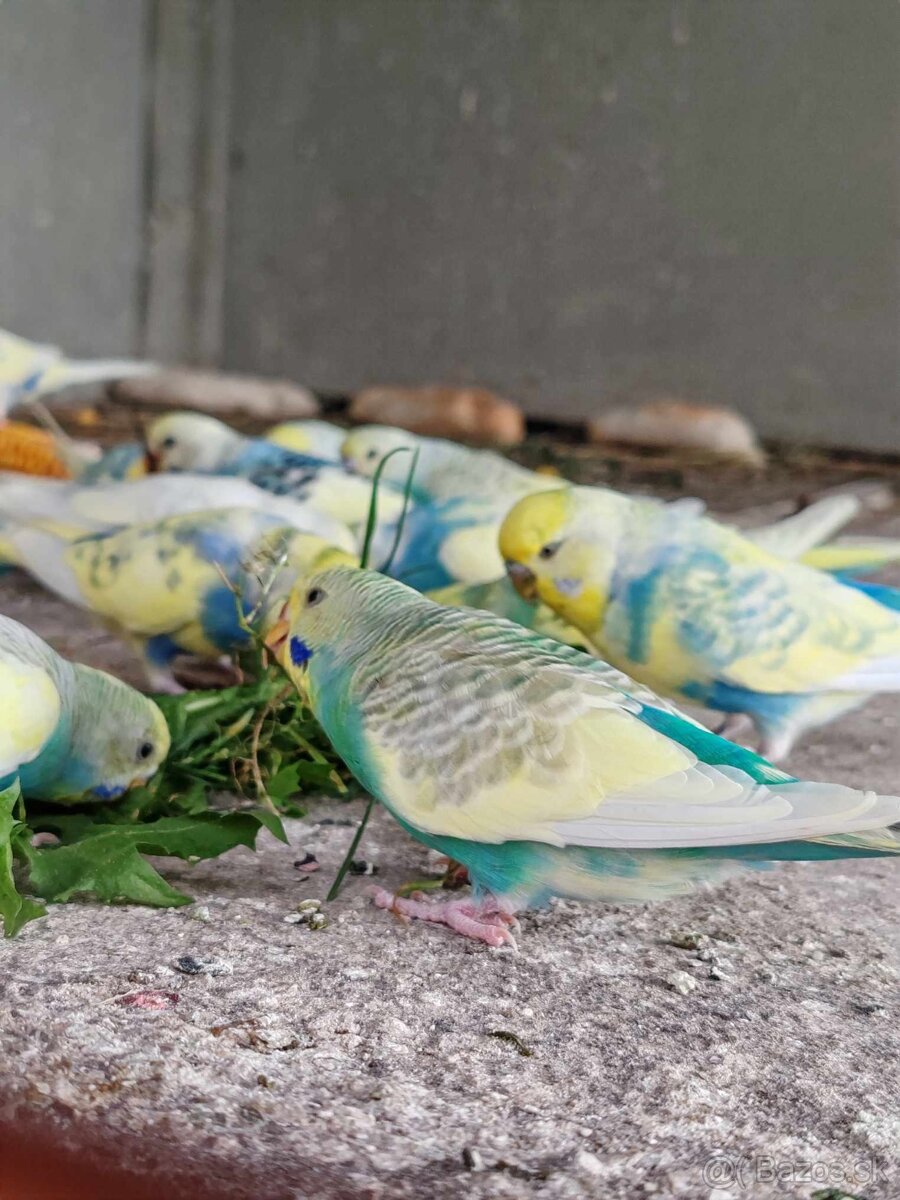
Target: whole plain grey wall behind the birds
569	202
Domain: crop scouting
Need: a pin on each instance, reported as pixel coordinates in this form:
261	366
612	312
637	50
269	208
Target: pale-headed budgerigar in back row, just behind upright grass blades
446	471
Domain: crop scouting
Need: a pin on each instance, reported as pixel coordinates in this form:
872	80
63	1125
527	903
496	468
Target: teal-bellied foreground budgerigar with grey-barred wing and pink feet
543	771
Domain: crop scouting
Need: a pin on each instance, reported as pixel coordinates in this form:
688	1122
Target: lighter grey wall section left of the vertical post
73	76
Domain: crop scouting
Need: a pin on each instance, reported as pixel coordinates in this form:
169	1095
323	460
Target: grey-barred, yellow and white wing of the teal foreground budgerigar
494	735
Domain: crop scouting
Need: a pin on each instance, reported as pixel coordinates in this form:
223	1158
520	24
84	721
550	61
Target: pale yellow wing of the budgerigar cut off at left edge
29	713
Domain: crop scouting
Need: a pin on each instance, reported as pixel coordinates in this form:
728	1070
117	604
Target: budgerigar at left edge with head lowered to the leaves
67	730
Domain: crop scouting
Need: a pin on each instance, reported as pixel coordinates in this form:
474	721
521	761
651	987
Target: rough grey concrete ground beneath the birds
743	1042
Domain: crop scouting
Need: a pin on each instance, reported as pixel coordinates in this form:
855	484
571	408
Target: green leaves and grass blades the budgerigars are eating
242	758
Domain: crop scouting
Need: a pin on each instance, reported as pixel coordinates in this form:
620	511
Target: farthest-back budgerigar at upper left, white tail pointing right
29	371
